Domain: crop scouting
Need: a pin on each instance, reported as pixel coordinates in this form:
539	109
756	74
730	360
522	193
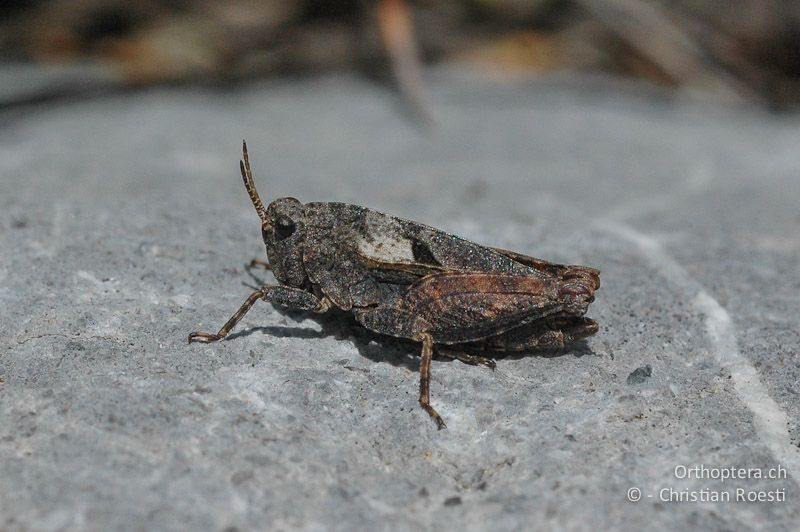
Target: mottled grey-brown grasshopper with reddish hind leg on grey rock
408	280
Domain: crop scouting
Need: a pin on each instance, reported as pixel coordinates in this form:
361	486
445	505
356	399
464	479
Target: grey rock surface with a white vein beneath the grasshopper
124	226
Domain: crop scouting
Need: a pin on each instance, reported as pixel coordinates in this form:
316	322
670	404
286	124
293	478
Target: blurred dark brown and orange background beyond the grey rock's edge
730	50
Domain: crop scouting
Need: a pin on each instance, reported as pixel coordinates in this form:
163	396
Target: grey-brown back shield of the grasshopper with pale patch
351	252
